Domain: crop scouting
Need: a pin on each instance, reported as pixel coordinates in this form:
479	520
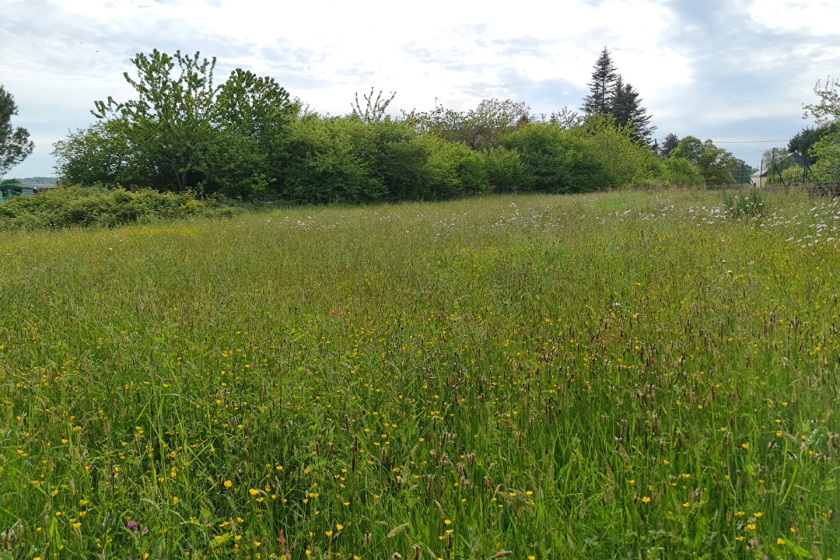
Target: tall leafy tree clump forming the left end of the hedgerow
183	131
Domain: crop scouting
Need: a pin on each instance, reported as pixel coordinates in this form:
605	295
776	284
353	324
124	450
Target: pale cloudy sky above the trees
729	70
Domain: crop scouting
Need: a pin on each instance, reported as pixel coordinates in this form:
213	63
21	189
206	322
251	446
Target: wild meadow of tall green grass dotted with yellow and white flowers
618	375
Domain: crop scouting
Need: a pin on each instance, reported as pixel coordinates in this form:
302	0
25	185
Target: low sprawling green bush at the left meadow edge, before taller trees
99	206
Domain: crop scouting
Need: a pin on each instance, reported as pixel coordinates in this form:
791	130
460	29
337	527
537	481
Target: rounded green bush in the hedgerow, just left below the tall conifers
555	161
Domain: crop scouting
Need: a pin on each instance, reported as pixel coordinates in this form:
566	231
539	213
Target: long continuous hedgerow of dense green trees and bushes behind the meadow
245	139
